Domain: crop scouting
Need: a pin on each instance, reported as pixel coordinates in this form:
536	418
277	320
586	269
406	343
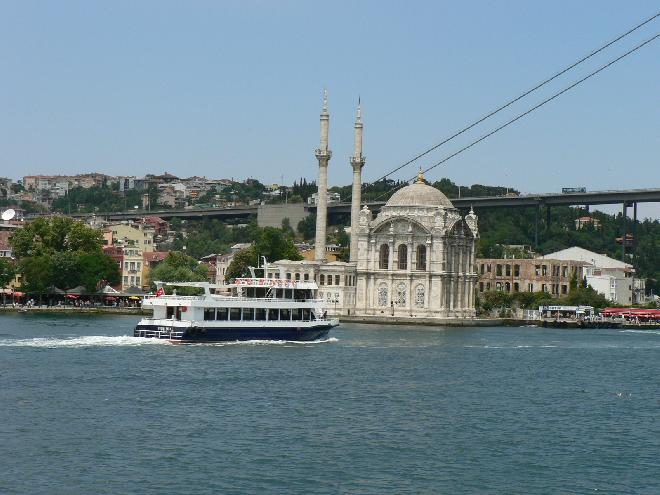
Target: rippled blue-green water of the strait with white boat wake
84	409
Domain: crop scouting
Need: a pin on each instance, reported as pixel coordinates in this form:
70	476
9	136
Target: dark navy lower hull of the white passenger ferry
225	334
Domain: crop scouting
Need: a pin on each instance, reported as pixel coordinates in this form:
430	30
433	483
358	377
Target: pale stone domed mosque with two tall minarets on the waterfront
416	258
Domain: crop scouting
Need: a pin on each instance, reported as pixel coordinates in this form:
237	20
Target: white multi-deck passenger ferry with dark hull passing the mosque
247	309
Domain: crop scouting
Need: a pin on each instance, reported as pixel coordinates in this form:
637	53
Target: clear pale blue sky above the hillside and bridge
233	89
